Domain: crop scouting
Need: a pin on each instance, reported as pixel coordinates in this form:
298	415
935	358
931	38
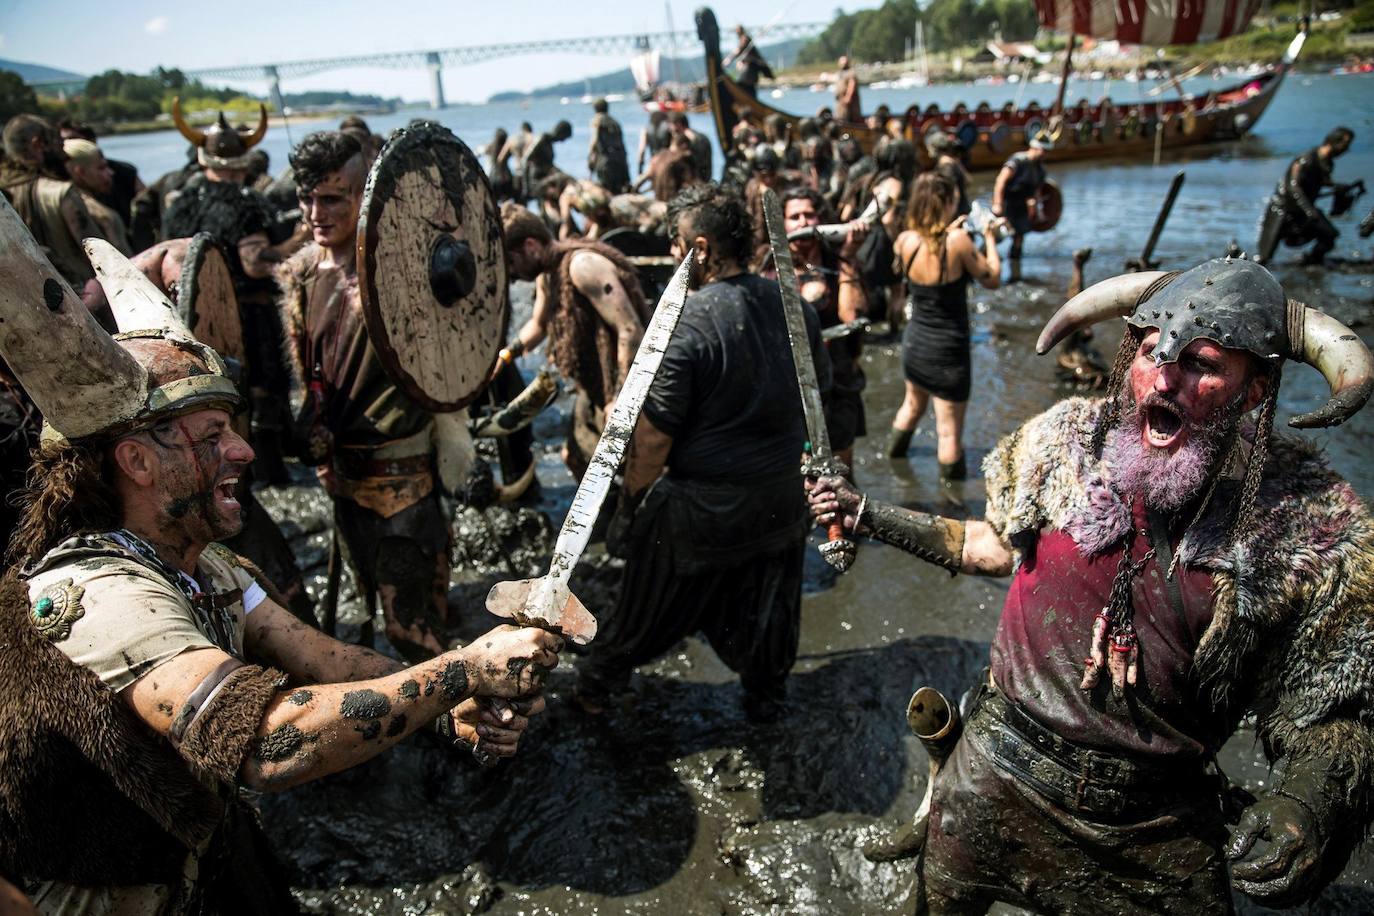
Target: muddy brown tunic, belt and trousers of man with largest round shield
381	473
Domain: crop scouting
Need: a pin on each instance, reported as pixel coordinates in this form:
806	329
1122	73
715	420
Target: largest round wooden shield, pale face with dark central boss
432	268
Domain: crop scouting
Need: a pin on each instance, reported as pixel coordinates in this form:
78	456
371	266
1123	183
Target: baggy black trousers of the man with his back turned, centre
748	610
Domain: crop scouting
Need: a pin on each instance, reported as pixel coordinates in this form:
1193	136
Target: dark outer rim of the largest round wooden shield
368	240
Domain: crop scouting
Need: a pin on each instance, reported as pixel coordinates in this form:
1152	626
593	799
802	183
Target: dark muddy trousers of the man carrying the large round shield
402	560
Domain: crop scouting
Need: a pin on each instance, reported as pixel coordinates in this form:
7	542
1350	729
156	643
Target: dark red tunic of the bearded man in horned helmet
1046	628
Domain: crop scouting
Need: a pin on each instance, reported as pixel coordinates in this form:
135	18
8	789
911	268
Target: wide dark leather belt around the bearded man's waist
1079	779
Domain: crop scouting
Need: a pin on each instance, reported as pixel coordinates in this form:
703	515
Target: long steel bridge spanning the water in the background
438	60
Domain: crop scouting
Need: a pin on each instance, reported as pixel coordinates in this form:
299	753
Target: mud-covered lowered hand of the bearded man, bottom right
1276	852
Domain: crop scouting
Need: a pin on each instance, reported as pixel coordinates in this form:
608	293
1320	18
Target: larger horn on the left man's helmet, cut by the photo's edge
82	380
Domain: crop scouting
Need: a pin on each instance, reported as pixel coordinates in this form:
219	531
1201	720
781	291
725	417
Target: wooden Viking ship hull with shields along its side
1083	131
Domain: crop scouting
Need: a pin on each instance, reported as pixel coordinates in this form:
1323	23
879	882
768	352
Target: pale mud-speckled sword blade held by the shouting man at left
550	595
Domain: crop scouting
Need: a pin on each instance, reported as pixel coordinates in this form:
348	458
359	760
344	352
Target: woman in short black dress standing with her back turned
936	259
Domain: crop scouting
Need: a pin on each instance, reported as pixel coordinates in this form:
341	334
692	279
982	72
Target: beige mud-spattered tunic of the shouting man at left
115	609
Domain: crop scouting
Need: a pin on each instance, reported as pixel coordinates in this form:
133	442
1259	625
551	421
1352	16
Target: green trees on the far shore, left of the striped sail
883	34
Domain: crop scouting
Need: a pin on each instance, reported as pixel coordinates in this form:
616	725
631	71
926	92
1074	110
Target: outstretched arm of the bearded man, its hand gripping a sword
953	545
